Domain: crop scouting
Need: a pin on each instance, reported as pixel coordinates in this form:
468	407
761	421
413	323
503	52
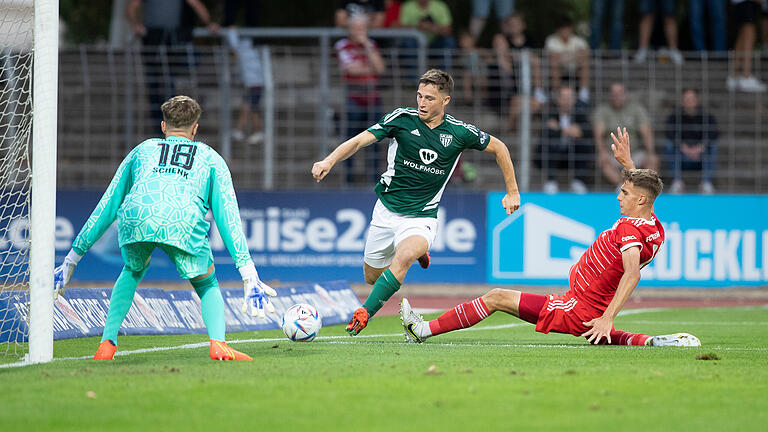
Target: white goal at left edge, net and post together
28	64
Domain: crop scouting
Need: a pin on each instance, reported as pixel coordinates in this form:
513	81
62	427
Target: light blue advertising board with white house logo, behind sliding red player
711	241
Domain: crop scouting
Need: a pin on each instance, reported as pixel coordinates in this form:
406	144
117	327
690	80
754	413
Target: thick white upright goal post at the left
43	210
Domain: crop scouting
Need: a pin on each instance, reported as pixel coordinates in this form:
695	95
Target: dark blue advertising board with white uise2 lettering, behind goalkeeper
292	236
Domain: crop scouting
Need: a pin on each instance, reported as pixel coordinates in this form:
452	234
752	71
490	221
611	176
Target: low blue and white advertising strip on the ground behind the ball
83	312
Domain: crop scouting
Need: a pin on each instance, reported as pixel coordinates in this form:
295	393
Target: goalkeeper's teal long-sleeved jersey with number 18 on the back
161	193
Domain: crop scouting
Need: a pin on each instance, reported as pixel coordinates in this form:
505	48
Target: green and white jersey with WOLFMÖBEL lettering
421	160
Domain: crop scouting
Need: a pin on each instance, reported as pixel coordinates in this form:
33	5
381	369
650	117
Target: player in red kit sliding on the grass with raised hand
600	282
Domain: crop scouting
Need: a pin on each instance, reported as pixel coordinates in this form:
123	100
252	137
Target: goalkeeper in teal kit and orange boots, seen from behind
160	195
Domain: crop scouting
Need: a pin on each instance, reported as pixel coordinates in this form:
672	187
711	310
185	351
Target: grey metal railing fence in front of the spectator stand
105	110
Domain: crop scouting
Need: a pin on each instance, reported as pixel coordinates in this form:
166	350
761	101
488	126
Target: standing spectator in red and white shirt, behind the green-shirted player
361	64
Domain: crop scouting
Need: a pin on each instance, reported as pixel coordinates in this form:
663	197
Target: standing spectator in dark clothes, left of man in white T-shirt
508	44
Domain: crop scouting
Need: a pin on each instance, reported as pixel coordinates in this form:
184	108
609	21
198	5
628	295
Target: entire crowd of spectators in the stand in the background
575	128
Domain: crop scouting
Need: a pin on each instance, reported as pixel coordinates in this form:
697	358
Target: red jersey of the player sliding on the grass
595	277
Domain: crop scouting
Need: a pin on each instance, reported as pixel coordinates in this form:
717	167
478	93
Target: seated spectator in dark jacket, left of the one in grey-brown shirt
565	144
